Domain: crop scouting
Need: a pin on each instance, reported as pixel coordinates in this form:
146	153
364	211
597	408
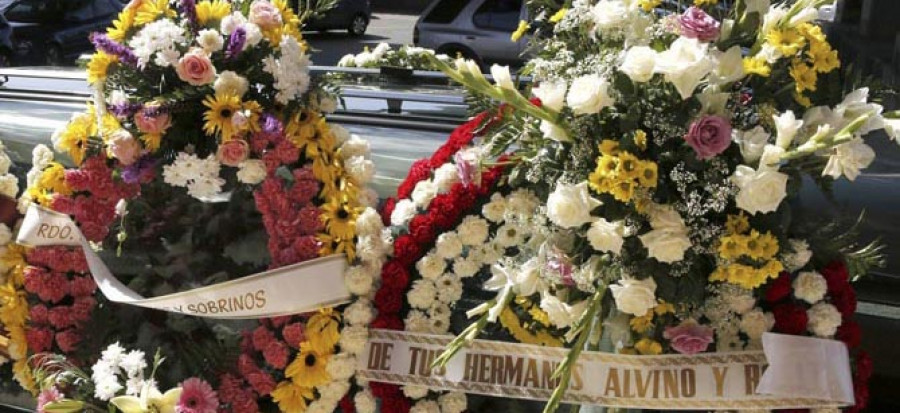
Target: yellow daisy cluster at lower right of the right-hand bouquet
742	242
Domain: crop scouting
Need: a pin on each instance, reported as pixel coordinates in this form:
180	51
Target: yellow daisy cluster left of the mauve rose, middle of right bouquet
620	173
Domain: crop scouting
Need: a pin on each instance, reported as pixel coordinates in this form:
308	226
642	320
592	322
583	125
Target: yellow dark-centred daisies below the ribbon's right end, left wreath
310	368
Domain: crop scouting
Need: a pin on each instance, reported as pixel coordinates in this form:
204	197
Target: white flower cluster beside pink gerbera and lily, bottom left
116	364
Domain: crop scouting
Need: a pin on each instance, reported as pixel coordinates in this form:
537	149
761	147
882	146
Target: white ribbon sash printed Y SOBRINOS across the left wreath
293	289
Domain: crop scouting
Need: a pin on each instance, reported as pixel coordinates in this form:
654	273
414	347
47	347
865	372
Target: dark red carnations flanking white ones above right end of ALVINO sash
791	318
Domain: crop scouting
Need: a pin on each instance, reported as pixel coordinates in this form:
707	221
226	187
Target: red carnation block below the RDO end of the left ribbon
58	279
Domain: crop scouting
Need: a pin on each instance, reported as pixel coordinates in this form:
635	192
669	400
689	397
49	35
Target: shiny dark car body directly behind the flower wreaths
36	101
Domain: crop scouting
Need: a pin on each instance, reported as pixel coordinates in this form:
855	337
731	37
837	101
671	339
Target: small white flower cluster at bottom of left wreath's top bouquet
199	176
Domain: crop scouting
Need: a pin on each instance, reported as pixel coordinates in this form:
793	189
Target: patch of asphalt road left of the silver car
329	47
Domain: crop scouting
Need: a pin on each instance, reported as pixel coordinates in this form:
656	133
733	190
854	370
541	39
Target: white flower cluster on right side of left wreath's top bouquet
291	70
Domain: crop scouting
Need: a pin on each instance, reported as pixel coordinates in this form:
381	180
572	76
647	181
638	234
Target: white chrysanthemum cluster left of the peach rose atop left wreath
158	41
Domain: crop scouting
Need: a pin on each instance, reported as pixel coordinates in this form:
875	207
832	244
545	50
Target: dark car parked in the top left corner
52	32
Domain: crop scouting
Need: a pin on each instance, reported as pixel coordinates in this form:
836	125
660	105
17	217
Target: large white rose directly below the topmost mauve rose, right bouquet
685	64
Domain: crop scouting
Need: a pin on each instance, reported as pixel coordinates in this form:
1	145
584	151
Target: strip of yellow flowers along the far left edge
14	313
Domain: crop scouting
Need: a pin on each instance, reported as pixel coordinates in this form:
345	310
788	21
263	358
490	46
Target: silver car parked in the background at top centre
474	29
